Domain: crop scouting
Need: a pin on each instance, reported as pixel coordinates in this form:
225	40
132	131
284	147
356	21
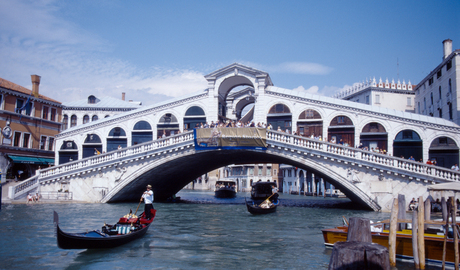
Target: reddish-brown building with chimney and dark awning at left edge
29	123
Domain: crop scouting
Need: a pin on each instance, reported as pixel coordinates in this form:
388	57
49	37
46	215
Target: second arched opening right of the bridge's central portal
310	124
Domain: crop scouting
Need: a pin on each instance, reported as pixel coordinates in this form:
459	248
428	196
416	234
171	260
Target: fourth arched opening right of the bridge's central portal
374	137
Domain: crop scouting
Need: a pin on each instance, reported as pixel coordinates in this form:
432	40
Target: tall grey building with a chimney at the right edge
436	94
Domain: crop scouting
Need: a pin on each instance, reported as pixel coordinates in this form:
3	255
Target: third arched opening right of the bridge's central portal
341	130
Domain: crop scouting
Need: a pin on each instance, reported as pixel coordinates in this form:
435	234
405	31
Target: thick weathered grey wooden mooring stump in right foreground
358	252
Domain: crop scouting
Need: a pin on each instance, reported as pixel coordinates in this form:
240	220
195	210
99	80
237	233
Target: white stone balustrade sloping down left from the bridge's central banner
32	183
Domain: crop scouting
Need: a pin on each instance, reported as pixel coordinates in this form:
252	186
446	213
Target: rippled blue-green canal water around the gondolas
202	233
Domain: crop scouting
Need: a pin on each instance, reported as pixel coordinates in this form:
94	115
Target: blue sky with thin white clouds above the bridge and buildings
156	50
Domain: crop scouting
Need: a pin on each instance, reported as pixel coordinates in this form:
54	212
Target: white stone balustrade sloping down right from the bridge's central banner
429	171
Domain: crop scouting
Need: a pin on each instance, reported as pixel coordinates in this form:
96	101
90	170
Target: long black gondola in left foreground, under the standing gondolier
125	230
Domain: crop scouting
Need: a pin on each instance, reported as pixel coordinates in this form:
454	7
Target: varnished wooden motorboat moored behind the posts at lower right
434	239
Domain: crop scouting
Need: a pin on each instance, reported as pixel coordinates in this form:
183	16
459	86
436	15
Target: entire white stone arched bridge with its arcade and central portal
134	152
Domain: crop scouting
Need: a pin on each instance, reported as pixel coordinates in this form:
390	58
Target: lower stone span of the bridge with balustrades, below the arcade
168	164
